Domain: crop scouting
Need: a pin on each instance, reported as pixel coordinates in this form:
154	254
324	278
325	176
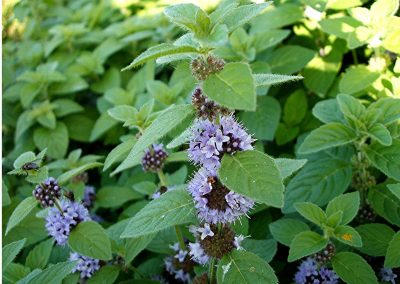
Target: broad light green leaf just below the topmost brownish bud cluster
233	87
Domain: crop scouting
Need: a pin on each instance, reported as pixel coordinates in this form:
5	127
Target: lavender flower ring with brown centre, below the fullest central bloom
214	202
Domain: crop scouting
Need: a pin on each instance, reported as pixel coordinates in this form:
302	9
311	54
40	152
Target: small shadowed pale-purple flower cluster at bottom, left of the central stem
180	266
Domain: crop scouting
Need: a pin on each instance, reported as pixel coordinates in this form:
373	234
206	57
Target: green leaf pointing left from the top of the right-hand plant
327	136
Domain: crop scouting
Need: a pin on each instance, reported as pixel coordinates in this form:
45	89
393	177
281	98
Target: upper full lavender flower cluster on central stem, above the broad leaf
210	141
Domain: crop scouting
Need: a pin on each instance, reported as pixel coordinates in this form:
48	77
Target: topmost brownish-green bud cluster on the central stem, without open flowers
202	68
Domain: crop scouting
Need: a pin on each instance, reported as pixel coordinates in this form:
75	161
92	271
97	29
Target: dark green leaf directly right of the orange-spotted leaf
376	238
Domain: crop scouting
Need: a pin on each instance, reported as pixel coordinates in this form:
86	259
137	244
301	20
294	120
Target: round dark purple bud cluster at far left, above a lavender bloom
47	192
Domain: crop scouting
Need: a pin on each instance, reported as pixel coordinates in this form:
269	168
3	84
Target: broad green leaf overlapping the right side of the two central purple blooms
253	174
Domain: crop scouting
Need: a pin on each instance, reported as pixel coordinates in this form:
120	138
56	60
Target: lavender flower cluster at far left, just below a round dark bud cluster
59	225
